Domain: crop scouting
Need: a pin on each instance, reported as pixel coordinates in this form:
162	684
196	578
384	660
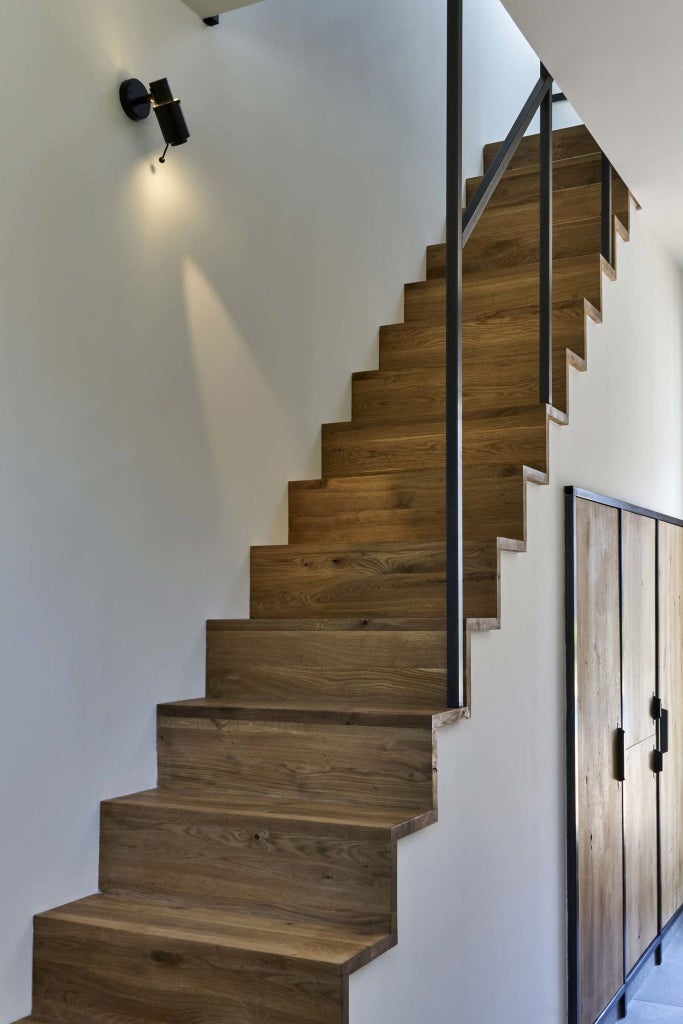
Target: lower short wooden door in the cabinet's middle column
641	842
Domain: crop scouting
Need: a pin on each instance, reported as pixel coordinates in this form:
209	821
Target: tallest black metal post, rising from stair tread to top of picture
454	350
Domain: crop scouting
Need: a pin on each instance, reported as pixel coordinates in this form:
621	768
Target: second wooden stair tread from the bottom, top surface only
273	808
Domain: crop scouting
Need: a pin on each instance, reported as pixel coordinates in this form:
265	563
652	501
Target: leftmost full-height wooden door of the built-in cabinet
600	795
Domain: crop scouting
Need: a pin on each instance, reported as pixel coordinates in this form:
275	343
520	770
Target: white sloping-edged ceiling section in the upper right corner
621	64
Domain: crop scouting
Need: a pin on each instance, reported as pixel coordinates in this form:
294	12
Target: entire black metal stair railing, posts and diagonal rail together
459	230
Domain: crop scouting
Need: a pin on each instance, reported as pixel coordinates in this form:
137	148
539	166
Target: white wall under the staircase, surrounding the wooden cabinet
482	897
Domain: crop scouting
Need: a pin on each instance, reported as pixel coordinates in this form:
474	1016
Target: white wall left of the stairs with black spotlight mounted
172	339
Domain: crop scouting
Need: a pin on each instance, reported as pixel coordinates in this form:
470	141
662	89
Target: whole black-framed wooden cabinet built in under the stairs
625	745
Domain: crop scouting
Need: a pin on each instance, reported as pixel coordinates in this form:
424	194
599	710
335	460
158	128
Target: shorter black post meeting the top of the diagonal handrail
546	251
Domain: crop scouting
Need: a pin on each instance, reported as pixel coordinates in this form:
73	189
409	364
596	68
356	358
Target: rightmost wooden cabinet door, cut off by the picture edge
671	691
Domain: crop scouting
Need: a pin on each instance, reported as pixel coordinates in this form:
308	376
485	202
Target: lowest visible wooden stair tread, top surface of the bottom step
293	941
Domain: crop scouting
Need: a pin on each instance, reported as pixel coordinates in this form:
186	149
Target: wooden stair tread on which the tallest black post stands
399	717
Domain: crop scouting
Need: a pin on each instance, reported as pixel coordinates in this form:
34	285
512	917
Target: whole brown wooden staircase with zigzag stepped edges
263	871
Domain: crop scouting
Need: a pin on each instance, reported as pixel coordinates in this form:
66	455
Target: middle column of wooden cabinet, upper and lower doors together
638	681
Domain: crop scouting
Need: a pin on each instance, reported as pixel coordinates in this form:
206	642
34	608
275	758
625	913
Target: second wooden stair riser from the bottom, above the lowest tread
308	871
